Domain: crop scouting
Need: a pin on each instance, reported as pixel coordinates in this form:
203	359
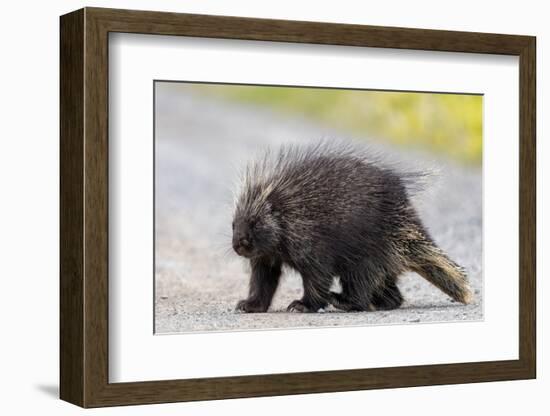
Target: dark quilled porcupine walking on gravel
330	211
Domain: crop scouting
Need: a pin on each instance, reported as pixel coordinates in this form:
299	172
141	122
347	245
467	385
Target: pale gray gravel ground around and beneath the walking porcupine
200	145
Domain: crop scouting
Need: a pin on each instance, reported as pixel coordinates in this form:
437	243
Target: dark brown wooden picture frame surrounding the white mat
84	207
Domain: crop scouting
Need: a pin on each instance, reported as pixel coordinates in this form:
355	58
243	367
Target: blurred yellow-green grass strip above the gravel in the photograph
449	124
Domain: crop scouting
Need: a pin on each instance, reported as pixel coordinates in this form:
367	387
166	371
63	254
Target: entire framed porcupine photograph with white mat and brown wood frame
255	207
